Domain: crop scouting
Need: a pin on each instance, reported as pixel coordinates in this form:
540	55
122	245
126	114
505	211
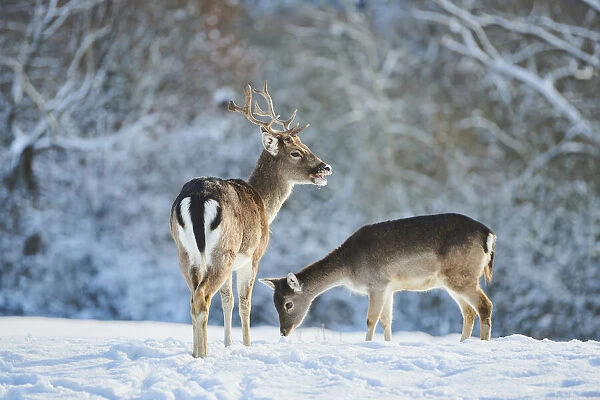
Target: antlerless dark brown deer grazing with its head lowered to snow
449	251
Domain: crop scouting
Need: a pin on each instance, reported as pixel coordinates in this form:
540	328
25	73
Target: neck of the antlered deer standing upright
272	187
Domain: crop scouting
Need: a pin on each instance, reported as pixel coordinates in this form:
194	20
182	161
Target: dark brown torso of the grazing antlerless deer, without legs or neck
416	253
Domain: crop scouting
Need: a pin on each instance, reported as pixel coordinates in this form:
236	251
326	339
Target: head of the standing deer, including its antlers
293	159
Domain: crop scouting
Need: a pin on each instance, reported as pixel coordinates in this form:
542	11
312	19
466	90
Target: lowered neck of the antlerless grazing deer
323	275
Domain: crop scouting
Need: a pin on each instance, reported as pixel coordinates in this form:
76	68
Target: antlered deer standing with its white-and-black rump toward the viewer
221	226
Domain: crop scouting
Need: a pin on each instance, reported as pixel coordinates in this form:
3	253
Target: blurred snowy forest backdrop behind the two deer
487	108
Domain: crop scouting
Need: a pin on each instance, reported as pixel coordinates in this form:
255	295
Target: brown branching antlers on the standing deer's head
249	114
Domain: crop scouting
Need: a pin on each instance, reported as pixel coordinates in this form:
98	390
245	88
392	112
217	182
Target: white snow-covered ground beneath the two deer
44	358
